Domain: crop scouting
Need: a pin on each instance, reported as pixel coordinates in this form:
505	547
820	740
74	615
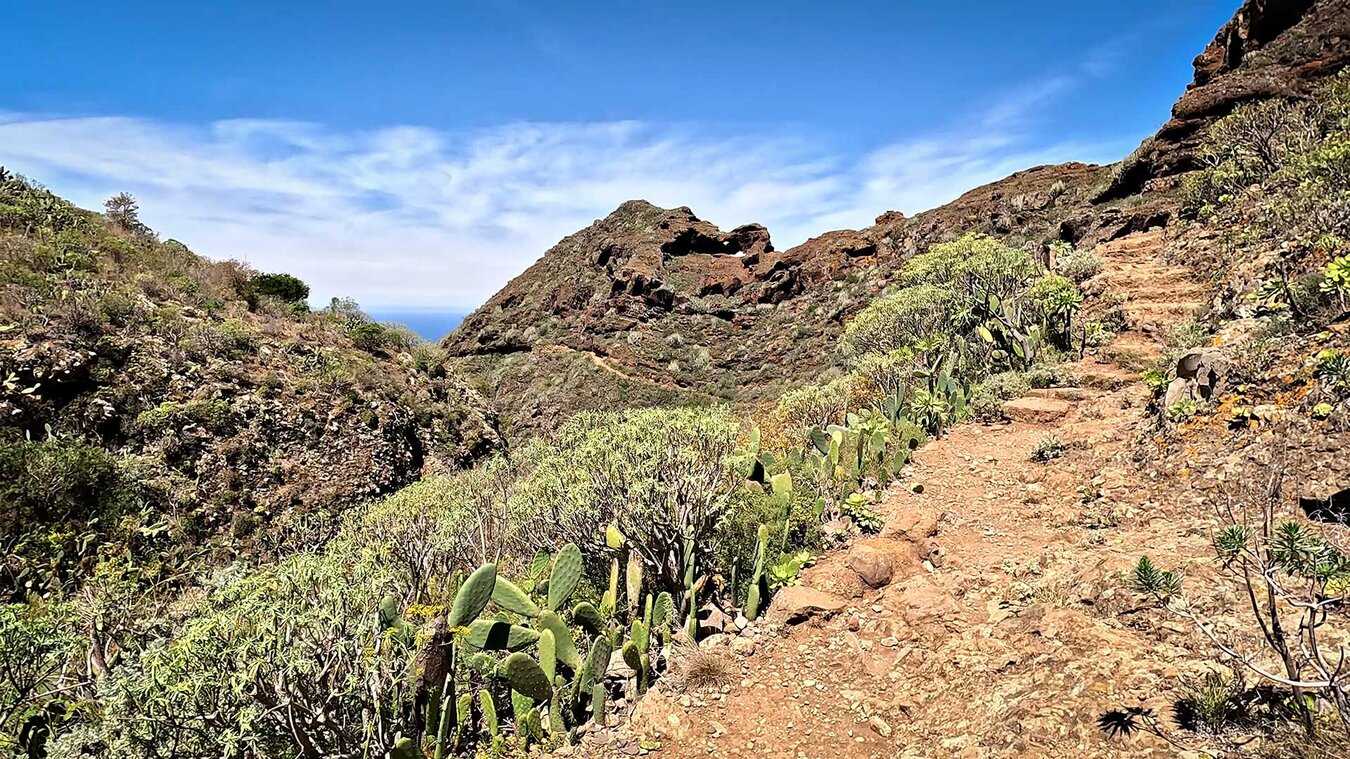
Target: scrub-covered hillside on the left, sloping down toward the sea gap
179	407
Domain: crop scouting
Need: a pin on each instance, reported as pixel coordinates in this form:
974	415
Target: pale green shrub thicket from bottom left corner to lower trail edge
326	653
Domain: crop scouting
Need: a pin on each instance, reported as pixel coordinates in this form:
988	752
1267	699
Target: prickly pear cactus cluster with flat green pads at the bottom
549	658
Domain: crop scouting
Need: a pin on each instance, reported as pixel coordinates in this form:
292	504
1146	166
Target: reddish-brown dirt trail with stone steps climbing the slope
1002	629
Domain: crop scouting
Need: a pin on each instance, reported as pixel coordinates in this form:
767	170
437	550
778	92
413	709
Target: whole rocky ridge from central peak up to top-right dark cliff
657	306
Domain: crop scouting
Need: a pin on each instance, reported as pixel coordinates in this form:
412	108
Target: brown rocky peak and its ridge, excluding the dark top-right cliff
650	305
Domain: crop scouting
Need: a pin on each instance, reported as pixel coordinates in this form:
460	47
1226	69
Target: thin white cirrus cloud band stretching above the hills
410	217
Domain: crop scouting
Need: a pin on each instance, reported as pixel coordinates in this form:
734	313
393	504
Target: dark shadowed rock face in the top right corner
1270	49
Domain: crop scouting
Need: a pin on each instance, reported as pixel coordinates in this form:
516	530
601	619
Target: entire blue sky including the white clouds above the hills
422	153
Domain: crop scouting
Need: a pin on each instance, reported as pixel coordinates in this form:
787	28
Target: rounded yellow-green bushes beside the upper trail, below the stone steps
974	321
